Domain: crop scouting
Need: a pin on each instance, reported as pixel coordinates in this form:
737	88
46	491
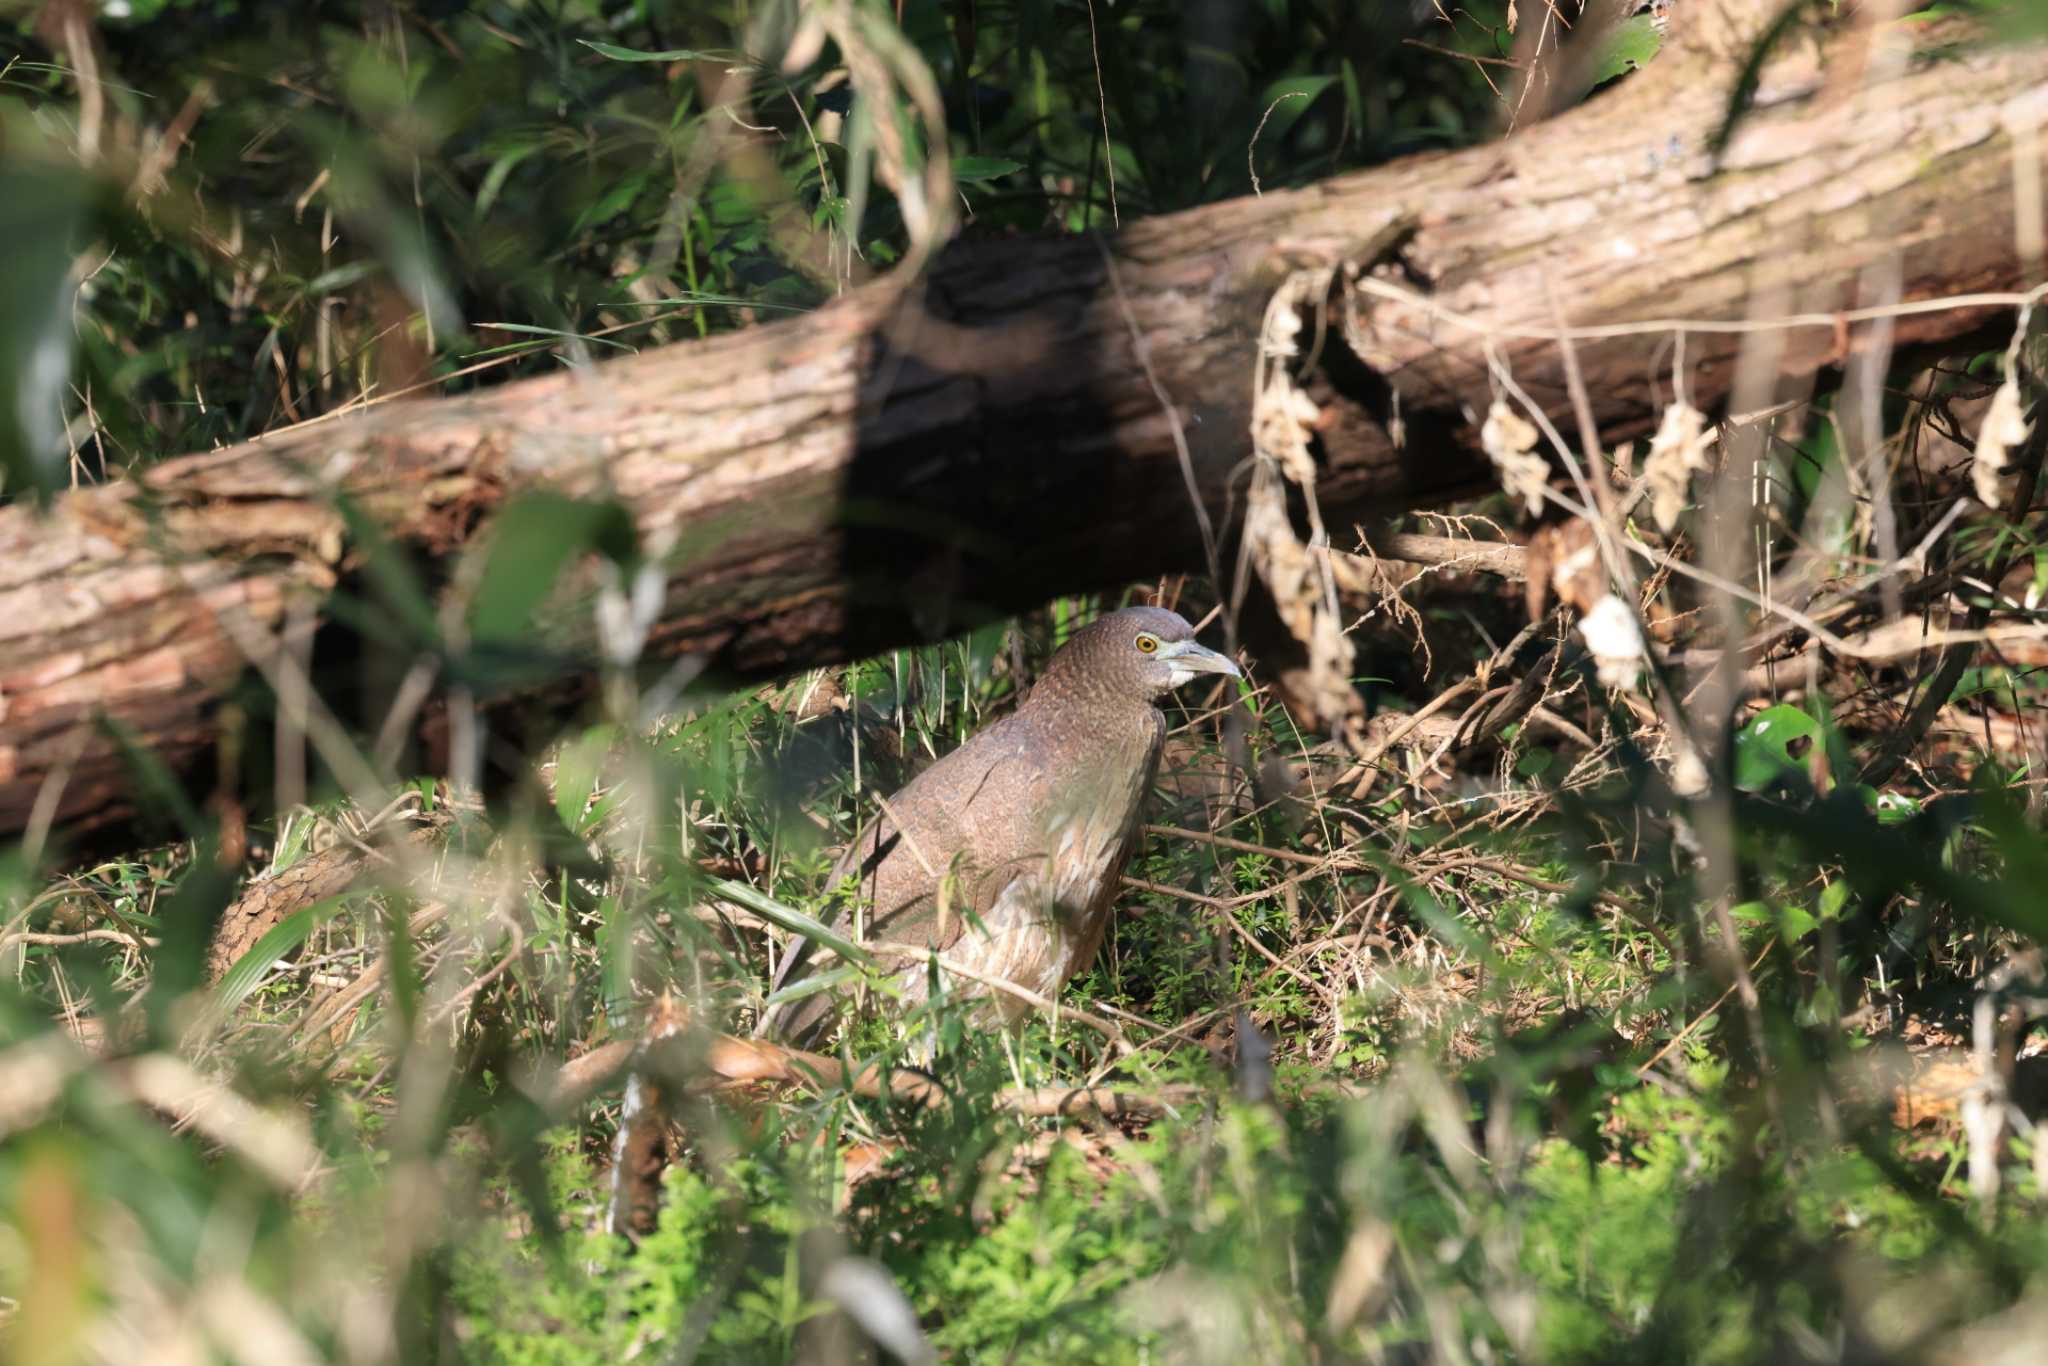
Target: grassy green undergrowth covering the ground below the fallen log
1514	1107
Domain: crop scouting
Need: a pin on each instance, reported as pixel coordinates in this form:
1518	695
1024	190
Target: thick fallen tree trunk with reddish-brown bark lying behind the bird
925	456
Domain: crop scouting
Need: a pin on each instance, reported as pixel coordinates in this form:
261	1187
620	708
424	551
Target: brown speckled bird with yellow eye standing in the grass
1013	847
